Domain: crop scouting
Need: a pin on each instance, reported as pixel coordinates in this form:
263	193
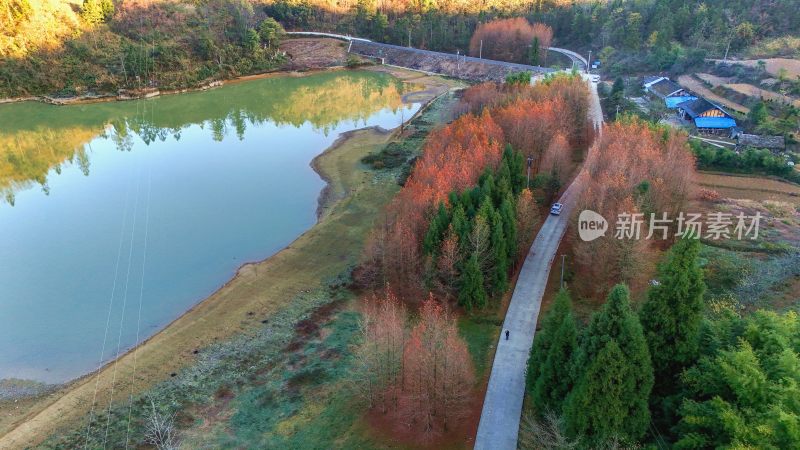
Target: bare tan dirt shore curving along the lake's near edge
257	291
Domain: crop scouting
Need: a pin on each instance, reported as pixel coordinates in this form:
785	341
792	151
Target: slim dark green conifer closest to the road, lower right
549	378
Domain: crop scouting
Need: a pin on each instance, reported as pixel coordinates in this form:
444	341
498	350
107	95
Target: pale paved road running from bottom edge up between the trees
502	406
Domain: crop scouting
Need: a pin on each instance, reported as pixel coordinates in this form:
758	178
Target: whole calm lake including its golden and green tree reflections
118	217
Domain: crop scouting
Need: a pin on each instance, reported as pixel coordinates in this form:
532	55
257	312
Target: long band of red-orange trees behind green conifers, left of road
545	122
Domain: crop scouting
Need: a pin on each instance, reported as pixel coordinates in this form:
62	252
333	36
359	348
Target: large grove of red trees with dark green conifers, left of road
546	122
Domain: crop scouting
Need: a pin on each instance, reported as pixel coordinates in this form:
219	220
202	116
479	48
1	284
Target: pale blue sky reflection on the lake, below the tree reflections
206	206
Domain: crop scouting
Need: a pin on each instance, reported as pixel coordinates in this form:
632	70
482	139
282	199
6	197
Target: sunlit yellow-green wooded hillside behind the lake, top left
68	48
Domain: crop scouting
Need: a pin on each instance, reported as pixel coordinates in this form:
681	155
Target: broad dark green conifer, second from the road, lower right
616	322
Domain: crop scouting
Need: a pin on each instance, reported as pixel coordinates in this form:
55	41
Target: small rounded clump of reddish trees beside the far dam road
509	39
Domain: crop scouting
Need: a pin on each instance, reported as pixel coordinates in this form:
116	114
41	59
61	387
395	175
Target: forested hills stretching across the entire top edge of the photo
74	46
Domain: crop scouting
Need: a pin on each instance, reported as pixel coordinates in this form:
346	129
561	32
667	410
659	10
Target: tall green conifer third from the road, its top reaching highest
671	318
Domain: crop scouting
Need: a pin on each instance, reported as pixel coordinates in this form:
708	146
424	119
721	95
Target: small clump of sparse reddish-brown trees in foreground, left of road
422	376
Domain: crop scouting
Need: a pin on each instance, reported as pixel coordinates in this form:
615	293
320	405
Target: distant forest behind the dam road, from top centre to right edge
643	34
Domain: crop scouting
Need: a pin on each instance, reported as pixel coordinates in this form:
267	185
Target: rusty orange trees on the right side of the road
635	167
